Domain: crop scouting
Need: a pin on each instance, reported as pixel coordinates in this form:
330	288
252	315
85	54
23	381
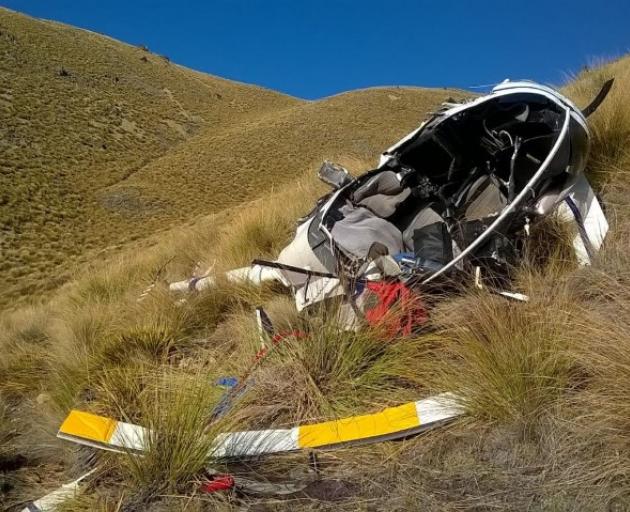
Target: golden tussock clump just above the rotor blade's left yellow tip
105	345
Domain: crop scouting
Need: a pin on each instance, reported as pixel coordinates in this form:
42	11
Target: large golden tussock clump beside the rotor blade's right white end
508	362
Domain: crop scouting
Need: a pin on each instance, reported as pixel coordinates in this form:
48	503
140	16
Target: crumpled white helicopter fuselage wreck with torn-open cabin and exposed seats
452	202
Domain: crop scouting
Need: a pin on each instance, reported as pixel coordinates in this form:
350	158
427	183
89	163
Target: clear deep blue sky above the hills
313	49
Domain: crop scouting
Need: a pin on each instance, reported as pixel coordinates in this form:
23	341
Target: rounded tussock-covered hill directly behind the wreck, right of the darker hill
222	167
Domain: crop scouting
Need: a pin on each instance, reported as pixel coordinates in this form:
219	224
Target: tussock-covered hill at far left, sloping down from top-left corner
79	112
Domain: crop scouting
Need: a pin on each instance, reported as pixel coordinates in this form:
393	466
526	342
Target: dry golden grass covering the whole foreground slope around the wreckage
546	385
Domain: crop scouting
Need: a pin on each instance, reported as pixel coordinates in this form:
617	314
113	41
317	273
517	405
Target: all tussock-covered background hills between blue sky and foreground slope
102	143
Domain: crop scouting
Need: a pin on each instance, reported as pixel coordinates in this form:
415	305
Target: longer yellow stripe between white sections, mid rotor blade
355	428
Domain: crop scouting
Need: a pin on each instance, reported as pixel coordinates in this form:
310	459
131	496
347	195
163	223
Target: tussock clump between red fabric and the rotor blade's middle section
325	372
